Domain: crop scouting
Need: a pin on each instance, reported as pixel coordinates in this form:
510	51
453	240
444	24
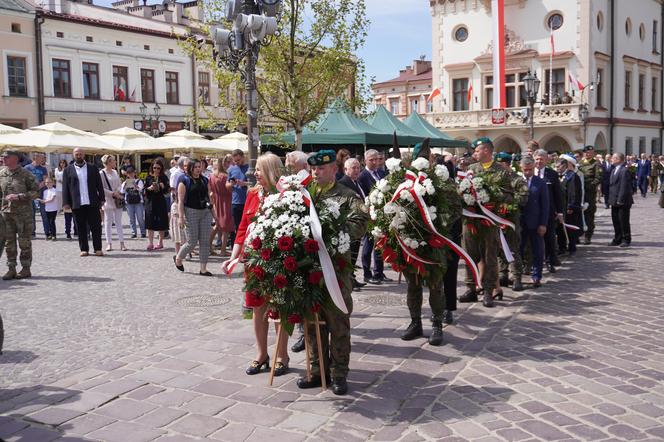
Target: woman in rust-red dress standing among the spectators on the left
221	191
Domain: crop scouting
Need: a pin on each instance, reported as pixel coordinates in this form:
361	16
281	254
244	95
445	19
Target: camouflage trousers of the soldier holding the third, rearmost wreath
483	247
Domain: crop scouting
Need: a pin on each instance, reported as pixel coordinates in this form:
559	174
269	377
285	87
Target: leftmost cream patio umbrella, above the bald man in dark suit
54	138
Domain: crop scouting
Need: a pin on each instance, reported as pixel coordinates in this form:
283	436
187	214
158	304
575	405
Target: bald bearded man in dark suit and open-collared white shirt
83	193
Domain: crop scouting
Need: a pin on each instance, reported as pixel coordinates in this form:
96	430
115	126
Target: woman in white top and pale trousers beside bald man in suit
110	180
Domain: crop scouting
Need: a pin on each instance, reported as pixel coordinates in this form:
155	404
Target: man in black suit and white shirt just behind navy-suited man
555	211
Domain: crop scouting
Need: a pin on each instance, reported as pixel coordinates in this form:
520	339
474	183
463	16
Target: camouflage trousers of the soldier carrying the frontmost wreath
335	339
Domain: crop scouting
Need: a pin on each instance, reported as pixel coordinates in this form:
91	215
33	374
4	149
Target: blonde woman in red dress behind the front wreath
268	171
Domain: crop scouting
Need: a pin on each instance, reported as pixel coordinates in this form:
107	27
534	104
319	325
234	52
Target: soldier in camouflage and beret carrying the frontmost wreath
335	334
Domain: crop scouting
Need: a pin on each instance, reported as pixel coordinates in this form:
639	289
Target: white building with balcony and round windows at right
613	47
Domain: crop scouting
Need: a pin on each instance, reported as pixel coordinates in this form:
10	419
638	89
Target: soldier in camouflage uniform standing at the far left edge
18	188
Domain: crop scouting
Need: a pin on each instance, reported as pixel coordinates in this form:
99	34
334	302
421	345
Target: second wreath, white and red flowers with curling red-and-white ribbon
410	210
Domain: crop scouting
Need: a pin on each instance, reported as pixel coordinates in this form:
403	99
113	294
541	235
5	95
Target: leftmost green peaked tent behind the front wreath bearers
337	126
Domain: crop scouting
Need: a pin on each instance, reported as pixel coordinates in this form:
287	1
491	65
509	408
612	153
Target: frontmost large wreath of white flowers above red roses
282	264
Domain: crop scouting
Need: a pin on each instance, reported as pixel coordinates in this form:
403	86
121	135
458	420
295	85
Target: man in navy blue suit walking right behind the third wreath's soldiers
535	217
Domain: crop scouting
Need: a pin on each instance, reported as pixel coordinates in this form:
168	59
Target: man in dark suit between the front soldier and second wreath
367	178
